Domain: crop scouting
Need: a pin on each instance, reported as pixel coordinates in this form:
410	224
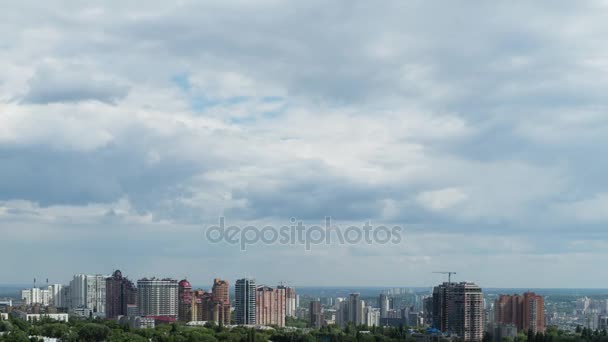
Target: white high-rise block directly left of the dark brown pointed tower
89	292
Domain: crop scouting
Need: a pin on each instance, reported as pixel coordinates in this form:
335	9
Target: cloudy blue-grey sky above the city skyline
478	127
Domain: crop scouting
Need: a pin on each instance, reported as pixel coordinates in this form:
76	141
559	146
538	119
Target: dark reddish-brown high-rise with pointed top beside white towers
120	293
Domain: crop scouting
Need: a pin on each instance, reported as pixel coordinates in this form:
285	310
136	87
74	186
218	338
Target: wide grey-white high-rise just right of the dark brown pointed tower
157	297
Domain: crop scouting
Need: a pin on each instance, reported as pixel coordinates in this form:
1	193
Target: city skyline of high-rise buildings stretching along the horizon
449	311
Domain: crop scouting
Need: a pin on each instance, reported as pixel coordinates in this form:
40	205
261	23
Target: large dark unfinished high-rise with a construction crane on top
458	308
